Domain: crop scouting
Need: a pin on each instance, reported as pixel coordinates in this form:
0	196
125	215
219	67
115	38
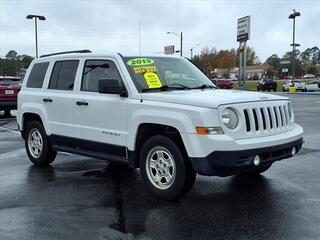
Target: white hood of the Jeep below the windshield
210	98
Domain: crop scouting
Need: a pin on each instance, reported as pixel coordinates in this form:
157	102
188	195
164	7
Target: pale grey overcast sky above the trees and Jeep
105	26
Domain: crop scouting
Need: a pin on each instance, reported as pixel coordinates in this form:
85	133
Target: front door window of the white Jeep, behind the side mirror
95	70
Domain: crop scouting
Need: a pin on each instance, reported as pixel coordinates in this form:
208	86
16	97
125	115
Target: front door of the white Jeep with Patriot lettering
100	119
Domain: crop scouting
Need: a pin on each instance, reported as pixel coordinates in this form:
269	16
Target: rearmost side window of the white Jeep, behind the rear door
37	75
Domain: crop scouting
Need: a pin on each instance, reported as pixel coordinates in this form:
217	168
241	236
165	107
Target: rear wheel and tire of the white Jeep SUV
38	145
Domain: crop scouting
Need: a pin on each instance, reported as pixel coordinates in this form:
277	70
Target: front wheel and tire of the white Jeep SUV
165	156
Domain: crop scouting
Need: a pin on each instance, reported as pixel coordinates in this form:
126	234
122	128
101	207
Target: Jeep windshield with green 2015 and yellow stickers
156	72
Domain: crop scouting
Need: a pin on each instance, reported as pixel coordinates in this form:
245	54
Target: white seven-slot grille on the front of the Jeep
267	118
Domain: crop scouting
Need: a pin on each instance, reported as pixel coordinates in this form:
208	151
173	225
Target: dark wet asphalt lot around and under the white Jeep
85	198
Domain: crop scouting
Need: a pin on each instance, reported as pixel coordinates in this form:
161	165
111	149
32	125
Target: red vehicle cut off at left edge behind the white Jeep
9	89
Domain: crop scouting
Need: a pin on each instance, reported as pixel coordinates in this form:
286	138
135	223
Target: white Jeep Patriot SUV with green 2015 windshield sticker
159	114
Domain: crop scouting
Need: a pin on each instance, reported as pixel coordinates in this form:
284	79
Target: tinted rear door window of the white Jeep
63	75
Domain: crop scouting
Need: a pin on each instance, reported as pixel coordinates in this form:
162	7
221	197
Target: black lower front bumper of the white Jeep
226	163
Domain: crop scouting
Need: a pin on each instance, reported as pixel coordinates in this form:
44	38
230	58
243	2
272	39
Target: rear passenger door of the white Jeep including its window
59	100
